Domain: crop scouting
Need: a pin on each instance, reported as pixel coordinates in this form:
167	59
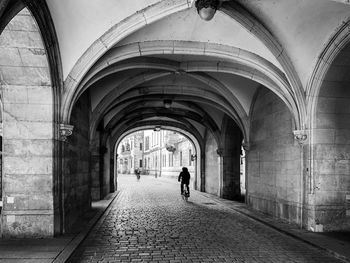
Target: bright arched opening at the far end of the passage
158	152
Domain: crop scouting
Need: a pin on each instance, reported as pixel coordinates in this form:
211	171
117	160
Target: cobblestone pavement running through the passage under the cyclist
149	222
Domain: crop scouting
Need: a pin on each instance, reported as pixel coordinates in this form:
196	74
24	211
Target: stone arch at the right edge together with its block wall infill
328	105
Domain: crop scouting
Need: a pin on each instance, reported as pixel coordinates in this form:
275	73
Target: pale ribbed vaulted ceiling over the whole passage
133	55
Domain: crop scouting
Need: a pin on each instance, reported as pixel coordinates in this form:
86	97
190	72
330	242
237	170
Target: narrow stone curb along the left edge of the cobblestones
65	254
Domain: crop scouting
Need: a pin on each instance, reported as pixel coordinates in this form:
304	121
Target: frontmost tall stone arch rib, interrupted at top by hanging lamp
151	14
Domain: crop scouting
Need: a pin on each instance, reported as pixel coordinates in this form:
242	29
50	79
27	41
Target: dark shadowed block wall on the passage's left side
77	184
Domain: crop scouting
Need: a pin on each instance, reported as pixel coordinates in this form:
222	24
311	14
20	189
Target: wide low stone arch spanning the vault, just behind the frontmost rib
244	63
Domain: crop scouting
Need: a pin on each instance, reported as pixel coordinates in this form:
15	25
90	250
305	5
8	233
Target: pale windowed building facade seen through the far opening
156	153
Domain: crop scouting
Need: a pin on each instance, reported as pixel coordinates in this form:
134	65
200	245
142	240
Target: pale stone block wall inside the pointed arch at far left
27	98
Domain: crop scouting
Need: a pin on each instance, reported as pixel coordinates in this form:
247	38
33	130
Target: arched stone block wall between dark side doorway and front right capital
274	185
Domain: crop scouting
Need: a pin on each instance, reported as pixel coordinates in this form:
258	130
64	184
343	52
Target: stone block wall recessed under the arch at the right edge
331	148
